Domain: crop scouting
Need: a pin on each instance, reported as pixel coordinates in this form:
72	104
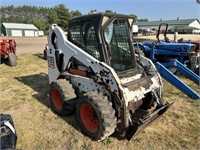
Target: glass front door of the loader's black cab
118	41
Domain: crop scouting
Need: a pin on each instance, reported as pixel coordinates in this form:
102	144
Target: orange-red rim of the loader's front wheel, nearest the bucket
89	117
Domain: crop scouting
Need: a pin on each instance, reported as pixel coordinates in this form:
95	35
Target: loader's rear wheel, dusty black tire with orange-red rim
62	97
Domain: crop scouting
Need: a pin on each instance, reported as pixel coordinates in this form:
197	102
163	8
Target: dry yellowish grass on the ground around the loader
24	95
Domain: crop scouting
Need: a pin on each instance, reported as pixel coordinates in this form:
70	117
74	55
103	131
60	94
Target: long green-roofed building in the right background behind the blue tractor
180	25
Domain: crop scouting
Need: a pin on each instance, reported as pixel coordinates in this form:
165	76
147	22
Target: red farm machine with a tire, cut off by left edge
8	51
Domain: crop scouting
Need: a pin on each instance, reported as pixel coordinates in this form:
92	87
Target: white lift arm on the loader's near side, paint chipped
104	73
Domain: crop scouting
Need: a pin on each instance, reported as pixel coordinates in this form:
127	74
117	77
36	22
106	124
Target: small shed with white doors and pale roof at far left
18	29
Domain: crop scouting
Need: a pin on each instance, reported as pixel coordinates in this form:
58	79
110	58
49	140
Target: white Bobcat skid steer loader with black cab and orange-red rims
95	72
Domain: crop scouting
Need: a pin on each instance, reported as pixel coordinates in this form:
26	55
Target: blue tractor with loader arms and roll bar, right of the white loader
170	57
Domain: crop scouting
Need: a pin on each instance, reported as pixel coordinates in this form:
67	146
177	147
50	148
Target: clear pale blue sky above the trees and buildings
150	9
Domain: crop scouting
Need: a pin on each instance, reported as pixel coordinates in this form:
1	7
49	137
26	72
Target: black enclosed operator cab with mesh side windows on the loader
106	37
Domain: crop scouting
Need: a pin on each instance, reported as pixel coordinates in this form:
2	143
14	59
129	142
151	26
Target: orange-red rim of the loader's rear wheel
56	99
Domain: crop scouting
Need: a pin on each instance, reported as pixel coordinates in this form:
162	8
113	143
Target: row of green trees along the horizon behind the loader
43	17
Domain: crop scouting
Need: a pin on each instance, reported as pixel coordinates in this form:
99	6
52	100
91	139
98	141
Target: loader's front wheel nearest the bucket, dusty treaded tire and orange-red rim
101	111
